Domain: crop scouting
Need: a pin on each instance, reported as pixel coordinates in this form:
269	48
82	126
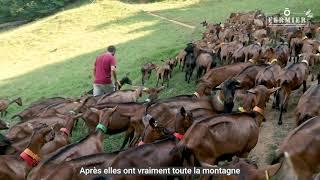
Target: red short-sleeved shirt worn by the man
102	74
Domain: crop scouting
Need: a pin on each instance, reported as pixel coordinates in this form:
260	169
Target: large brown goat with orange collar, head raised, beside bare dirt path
227	134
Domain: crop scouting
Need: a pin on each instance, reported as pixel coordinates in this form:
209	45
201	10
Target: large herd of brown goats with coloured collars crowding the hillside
239	64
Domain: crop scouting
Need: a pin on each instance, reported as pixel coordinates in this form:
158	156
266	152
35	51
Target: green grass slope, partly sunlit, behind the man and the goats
54	56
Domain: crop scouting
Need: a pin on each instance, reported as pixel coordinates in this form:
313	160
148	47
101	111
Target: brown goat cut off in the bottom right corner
302	149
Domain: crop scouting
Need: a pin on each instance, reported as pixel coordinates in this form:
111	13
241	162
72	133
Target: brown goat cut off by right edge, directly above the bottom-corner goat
308	105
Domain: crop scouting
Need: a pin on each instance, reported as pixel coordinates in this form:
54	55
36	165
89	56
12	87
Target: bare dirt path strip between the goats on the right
271	134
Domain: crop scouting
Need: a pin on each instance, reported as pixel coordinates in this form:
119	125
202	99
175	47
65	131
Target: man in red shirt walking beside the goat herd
104	69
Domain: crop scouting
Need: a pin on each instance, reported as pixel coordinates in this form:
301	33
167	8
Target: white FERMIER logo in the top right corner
288	18
